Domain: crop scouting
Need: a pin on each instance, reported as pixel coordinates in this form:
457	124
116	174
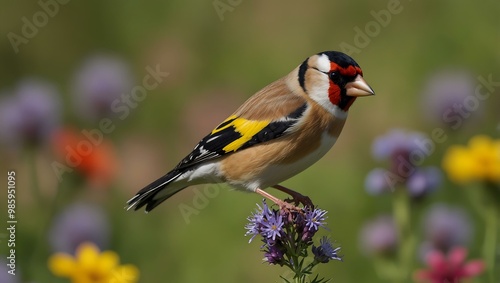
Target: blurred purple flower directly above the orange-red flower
99	82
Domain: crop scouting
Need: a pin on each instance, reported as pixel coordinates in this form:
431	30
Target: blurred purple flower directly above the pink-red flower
446	227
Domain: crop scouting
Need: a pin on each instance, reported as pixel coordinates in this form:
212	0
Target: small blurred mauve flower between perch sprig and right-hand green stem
379	236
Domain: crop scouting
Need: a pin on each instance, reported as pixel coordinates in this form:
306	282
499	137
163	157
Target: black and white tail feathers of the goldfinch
156	192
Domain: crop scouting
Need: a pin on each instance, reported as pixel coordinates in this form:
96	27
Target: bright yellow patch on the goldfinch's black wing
246	128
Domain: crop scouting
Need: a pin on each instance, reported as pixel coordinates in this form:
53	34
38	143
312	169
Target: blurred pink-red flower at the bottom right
451	269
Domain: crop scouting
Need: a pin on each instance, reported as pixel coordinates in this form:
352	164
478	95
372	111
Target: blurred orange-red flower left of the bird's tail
90	154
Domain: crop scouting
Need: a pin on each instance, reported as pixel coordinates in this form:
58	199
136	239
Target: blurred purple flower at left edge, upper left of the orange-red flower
31	114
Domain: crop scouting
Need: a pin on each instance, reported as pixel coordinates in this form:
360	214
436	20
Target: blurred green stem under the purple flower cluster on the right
401	211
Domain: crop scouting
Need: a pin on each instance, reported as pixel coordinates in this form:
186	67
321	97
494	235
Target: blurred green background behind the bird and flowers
217	55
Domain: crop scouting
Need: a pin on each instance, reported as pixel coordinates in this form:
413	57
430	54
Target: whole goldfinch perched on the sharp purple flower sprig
277	133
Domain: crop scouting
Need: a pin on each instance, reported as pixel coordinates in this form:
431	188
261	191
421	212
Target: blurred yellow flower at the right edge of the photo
480	160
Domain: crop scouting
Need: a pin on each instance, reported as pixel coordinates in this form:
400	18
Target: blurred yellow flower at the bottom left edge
91	266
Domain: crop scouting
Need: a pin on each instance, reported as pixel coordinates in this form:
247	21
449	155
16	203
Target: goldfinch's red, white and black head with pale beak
333	80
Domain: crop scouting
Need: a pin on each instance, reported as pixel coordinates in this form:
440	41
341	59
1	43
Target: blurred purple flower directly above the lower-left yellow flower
79	223
